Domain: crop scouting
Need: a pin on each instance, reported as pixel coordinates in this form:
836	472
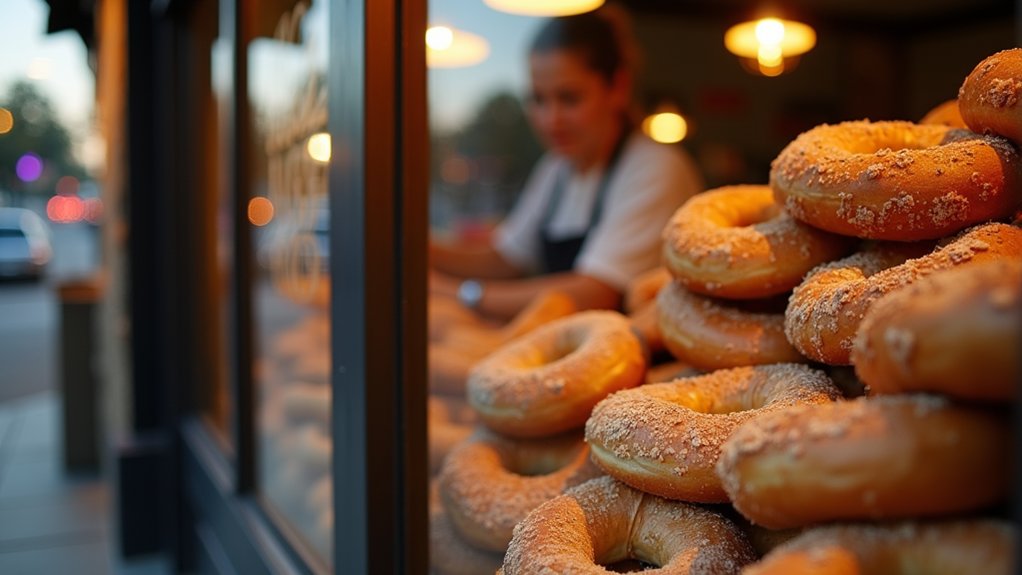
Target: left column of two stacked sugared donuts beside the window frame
531	399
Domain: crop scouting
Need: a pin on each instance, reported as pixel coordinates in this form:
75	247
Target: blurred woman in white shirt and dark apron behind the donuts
590	218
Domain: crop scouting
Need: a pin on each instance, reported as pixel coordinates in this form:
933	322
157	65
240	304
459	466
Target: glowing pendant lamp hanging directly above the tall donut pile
768	42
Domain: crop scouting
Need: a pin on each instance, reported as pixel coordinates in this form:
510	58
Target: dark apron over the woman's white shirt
560	255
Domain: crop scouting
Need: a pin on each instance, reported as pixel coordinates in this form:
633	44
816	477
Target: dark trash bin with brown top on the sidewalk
79	300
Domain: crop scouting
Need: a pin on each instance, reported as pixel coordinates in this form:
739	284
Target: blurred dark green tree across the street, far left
37	130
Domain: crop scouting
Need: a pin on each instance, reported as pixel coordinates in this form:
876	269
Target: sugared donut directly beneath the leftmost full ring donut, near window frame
490	483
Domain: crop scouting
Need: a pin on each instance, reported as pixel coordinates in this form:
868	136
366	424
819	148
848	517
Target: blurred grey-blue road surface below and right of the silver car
30	314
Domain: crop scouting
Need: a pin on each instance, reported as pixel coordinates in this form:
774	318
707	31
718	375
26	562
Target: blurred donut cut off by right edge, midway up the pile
939	333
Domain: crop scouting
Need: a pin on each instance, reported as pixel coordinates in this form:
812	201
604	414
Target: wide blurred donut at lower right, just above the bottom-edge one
892	457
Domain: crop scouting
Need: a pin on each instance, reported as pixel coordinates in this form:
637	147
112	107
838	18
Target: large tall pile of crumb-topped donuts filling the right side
893	245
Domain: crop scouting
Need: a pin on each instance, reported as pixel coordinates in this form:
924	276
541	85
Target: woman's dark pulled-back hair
602	38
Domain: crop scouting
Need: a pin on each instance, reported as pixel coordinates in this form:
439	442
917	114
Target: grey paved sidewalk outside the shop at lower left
51	522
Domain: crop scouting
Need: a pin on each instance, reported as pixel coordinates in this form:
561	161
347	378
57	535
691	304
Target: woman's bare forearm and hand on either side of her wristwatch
503	300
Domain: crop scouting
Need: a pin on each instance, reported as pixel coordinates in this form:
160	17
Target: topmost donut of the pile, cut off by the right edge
990	97
